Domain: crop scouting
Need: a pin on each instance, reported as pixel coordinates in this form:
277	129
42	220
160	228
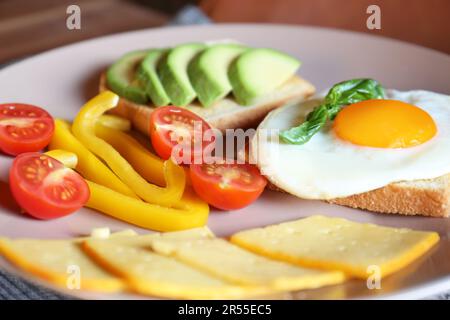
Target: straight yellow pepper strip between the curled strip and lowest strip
89	166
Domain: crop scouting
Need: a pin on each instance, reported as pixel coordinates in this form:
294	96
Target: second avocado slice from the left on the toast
148	76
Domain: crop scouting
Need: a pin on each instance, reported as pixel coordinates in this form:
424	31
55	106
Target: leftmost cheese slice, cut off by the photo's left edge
61	262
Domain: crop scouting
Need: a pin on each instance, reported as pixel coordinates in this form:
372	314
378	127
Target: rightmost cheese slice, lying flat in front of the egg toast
338	244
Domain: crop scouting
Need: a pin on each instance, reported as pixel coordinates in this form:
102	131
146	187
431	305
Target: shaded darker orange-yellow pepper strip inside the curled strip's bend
148	165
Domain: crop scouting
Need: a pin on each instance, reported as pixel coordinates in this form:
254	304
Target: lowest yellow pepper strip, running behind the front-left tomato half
189	212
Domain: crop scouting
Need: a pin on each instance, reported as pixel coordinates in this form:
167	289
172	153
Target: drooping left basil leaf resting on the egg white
301	134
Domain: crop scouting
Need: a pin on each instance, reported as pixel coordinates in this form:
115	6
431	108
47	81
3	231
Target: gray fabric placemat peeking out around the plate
14	288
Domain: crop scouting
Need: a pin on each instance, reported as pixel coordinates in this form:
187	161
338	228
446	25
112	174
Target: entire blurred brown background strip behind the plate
28	27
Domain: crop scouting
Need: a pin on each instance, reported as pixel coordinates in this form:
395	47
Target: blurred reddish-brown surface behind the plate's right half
425	22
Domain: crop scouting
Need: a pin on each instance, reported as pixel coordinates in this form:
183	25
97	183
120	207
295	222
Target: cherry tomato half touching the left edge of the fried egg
227	186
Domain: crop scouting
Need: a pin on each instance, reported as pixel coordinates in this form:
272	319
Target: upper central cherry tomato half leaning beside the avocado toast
172	127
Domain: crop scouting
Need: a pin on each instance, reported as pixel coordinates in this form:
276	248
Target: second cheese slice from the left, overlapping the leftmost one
152	274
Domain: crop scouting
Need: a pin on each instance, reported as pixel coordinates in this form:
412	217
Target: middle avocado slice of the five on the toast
172	72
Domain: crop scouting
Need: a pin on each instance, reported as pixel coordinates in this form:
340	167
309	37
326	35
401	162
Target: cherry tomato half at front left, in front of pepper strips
44	188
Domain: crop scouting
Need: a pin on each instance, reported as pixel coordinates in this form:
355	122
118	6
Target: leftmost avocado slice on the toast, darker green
121	78
